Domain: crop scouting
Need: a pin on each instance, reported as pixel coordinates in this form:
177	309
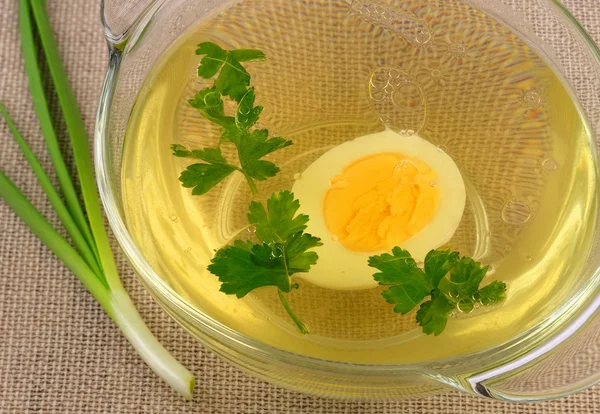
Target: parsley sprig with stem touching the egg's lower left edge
283	251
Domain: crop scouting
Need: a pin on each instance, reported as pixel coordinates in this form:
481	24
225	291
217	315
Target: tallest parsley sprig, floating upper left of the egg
233	81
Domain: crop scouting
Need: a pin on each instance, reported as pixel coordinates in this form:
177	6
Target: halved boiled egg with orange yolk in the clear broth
373	193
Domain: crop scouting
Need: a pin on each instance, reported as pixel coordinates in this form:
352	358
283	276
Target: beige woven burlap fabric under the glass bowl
59	353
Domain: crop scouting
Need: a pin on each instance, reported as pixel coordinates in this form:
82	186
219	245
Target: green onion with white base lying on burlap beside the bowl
91	260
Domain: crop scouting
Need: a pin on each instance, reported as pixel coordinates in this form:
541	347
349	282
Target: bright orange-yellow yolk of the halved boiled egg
380	201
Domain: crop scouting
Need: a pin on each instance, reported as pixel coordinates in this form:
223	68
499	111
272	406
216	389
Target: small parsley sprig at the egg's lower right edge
450	281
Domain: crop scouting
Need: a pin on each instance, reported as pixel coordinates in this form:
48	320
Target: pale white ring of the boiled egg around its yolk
342	269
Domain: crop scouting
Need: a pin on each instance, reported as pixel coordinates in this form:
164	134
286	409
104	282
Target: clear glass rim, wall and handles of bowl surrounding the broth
554	358
